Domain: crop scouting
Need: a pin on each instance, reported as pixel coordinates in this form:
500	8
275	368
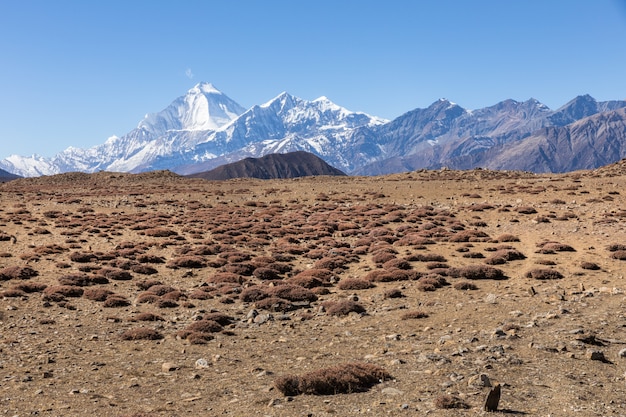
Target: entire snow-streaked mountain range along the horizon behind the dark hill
205	129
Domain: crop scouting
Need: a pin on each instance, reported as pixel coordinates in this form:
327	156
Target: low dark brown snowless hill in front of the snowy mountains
272	166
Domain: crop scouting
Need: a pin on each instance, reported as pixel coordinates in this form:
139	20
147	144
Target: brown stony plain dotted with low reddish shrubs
157	295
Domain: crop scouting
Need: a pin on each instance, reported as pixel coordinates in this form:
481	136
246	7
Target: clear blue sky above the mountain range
73	73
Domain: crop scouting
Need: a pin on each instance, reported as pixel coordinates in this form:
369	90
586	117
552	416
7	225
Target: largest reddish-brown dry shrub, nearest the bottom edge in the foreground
341	379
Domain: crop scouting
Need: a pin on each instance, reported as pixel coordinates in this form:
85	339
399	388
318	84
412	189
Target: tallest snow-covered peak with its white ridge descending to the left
179	126
